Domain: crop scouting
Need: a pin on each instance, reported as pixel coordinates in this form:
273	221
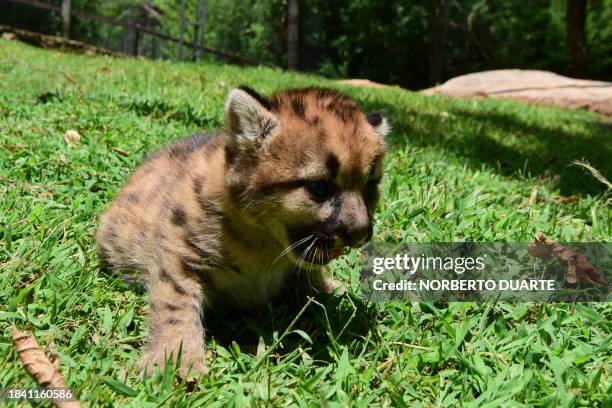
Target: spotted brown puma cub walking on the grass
231	218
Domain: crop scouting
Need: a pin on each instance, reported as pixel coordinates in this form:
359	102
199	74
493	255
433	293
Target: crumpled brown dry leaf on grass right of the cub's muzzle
579	268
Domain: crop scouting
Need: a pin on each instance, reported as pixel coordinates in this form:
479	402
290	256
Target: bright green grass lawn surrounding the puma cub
457	170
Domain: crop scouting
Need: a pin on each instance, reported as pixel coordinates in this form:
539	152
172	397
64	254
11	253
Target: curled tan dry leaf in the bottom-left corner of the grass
43	370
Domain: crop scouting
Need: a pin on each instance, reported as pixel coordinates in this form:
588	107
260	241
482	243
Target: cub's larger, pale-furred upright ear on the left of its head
248	118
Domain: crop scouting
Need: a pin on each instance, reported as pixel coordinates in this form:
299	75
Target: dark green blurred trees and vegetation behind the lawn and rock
414	44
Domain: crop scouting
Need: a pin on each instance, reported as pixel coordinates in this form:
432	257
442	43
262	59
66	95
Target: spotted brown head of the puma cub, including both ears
305	165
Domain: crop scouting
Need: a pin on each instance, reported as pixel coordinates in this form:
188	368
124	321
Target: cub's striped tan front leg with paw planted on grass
176	302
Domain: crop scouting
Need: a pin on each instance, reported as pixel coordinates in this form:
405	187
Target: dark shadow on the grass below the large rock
510	145
